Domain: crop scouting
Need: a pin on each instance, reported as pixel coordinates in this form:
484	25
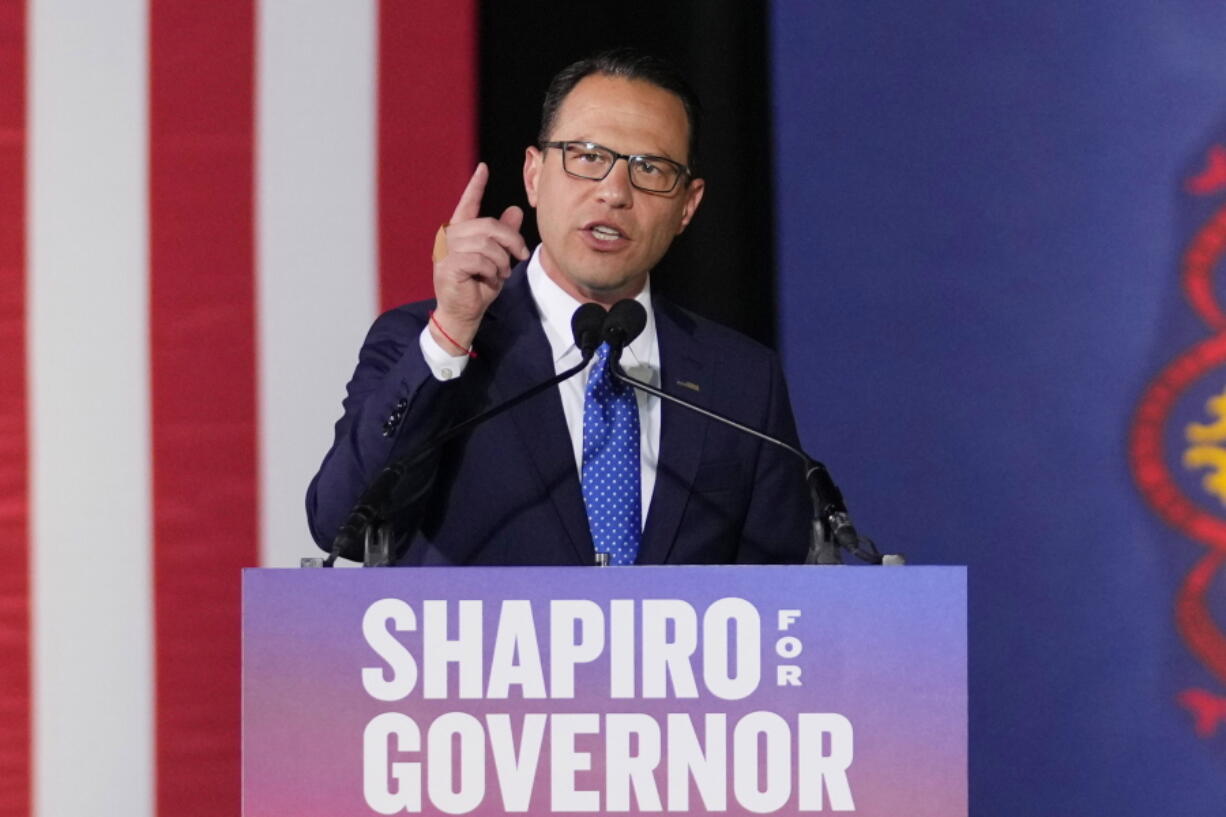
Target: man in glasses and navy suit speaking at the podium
644	483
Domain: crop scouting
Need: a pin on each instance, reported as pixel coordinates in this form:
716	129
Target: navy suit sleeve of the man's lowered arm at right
777	528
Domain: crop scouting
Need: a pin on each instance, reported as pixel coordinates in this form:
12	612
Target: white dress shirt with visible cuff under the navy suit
641	360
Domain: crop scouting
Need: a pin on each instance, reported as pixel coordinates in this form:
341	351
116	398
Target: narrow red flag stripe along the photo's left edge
15	700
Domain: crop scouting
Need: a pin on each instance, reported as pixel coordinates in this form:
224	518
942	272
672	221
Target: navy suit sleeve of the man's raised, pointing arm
393	407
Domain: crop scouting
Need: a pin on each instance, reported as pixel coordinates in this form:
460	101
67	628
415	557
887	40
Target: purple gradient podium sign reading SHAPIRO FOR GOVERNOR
566	691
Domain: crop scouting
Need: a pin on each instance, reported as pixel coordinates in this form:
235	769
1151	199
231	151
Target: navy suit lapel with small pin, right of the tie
682	434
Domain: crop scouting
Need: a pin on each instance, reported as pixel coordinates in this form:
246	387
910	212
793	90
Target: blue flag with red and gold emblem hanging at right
989	215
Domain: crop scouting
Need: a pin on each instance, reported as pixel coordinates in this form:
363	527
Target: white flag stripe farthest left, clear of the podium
89	409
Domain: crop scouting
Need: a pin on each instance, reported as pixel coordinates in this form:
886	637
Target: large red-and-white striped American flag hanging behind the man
203	205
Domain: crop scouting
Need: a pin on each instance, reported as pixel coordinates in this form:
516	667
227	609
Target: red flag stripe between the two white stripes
204	389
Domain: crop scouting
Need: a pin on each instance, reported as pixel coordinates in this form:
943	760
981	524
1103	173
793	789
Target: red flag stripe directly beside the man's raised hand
427	134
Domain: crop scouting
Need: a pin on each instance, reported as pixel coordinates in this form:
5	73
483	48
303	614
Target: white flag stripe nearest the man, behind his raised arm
316	241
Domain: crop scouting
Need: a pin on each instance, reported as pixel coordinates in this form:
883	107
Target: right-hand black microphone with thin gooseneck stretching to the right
832	523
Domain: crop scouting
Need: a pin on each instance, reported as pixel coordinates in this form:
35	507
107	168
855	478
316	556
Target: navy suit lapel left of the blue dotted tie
514	334
